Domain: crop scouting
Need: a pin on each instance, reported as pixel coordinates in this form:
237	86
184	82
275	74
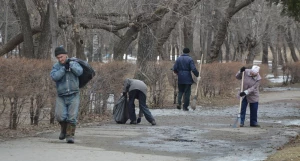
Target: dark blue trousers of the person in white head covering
253	111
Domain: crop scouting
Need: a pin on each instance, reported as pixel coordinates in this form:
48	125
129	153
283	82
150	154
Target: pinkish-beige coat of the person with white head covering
250	86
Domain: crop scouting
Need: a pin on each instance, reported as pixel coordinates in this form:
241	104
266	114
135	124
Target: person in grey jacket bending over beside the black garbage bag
137	89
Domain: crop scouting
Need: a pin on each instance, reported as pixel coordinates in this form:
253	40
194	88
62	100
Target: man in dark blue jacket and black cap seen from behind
183	67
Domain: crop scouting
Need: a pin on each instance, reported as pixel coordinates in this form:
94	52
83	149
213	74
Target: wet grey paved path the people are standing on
200	135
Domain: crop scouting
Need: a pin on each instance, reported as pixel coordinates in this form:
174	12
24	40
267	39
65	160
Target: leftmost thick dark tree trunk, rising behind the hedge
26	29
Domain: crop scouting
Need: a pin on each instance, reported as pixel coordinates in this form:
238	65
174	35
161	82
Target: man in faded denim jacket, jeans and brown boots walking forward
65	73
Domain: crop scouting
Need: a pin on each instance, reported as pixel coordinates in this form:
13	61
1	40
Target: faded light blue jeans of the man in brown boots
66	108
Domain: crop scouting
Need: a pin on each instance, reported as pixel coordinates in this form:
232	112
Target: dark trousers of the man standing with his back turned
186	90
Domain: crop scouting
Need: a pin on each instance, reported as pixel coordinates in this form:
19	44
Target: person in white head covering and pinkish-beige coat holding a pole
250	93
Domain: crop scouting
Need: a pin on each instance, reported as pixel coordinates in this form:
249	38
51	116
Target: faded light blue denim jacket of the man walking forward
67	82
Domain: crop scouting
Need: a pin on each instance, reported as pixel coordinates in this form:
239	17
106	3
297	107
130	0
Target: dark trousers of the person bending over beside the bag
137	94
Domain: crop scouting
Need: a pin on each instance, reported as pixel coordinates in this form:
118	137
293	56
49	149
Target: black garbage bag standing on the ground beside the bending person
120	110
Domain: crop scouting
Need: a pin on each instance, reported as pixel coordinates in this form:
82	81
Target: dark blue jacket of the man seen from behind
183	67
